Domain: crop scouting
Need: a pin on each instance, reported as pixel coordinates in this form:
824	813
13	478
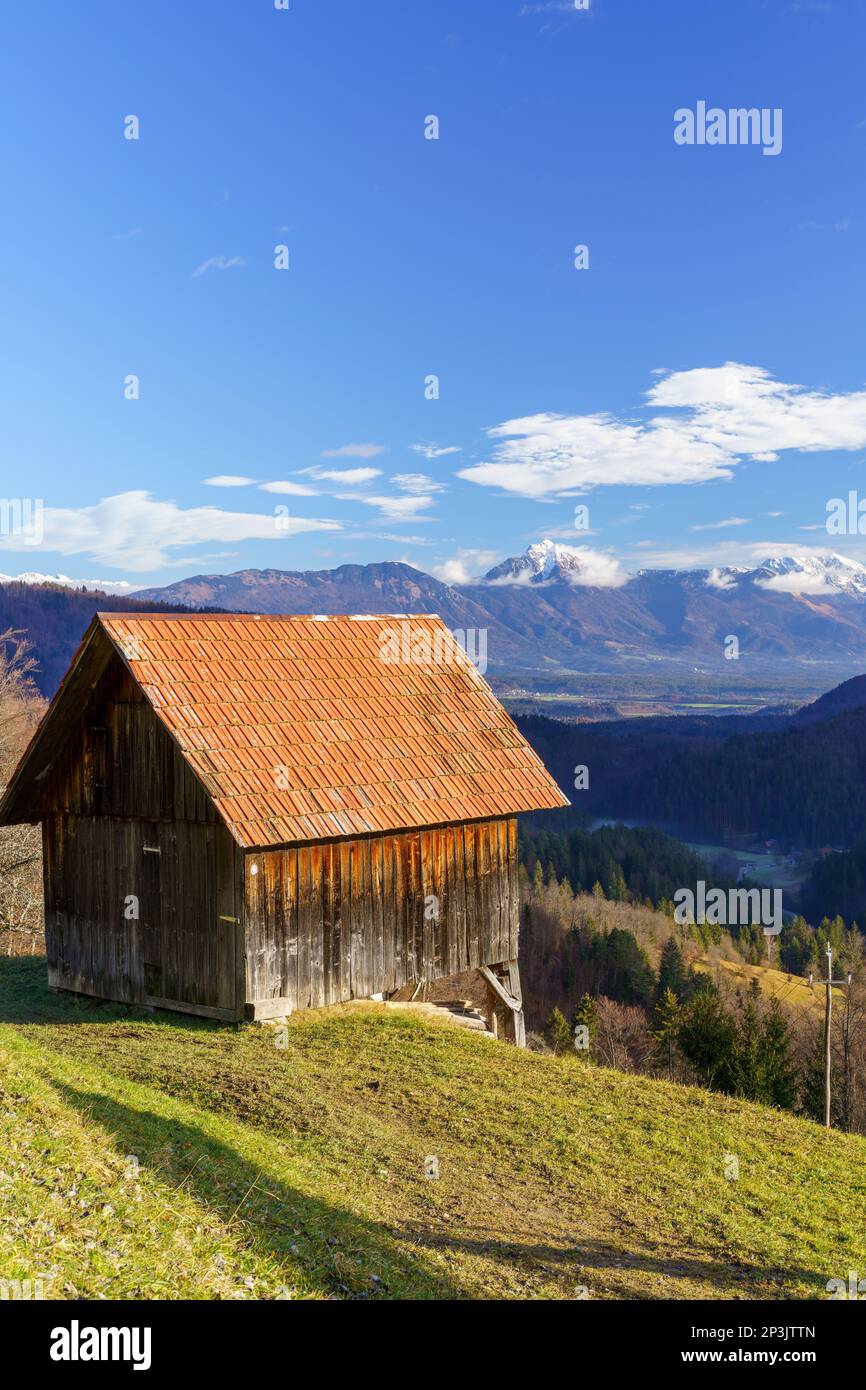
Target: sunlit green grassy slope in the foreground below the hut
298	1171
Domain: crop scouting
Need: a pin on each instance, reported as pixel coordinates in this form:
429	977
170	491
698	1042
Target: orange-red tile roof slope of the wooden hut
323	728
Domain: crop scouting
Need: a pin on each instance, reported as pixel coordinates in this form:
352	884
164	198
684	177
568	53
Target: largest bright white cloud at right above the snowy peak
724	415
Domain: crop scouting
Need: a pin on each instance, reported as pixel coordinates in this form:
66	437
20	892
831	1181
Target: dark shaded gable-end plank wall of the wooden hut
124	817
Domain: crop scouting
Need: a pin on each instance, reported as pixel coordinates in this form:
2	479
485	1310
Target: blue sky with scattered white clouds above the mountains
412	258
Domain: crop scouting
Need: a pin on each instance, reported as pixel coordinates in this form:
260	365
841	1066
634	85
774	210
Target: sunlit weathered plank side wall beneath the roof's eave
387	910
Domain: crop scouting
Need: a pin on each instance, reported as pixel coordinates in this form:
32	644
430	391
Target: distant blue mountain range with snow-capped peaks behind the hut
539	611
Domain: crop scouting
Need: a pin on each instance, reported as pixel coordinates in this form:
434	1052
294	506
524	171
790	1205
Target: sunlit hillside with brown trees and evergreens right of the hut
676	1000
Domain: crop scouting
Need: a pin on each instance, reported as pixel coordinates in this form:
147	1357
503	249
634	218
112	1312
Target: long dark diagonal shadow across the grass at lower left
337	1250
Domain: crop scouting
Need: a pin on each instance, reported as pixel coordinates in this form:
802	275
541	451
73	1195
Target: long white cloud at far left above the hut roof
136	532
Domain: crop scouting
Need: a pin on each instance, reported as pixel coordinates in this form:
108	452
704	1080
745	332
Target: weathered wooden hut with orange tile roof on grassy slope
244	817
